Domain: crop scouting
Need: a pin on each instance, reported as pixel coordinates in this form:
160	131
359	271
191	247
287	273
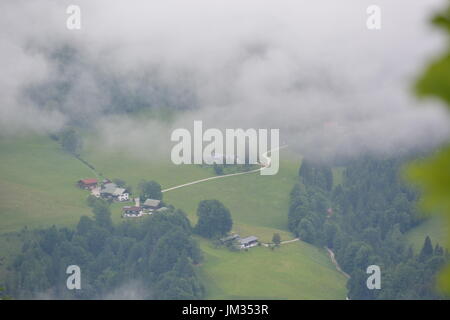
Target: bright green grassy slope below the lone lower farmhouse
293	271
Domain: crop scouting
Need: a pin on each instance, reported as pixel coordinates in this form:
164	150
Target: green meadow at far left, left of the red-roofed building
37	184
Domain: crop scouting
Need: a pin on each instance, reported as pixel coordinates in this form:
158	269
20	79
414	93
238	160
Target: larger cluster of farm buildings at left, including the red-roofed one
110	191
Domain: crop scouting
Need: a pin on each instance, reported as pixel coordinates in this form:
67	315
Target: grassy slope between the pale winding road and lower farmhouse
262	200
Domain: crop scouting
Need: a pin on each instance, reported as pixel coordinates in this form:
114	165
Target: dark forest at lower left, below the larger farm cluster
157	251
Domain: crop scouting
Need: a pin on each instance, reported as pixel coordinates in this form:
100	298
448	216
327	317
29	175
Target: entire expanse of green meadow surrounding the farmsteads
38	189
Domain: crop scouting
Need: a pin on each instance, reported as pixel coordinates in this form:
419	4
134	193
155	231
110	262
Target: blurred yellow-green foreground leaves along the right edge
433	174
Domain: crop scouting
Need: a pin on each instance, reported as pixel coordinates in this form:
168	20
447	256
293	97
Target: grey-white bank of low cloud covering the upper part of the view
310	68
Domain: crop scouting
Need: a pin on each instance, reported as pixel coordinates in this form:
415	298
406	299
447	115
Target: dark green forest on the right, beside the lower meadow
363	221
